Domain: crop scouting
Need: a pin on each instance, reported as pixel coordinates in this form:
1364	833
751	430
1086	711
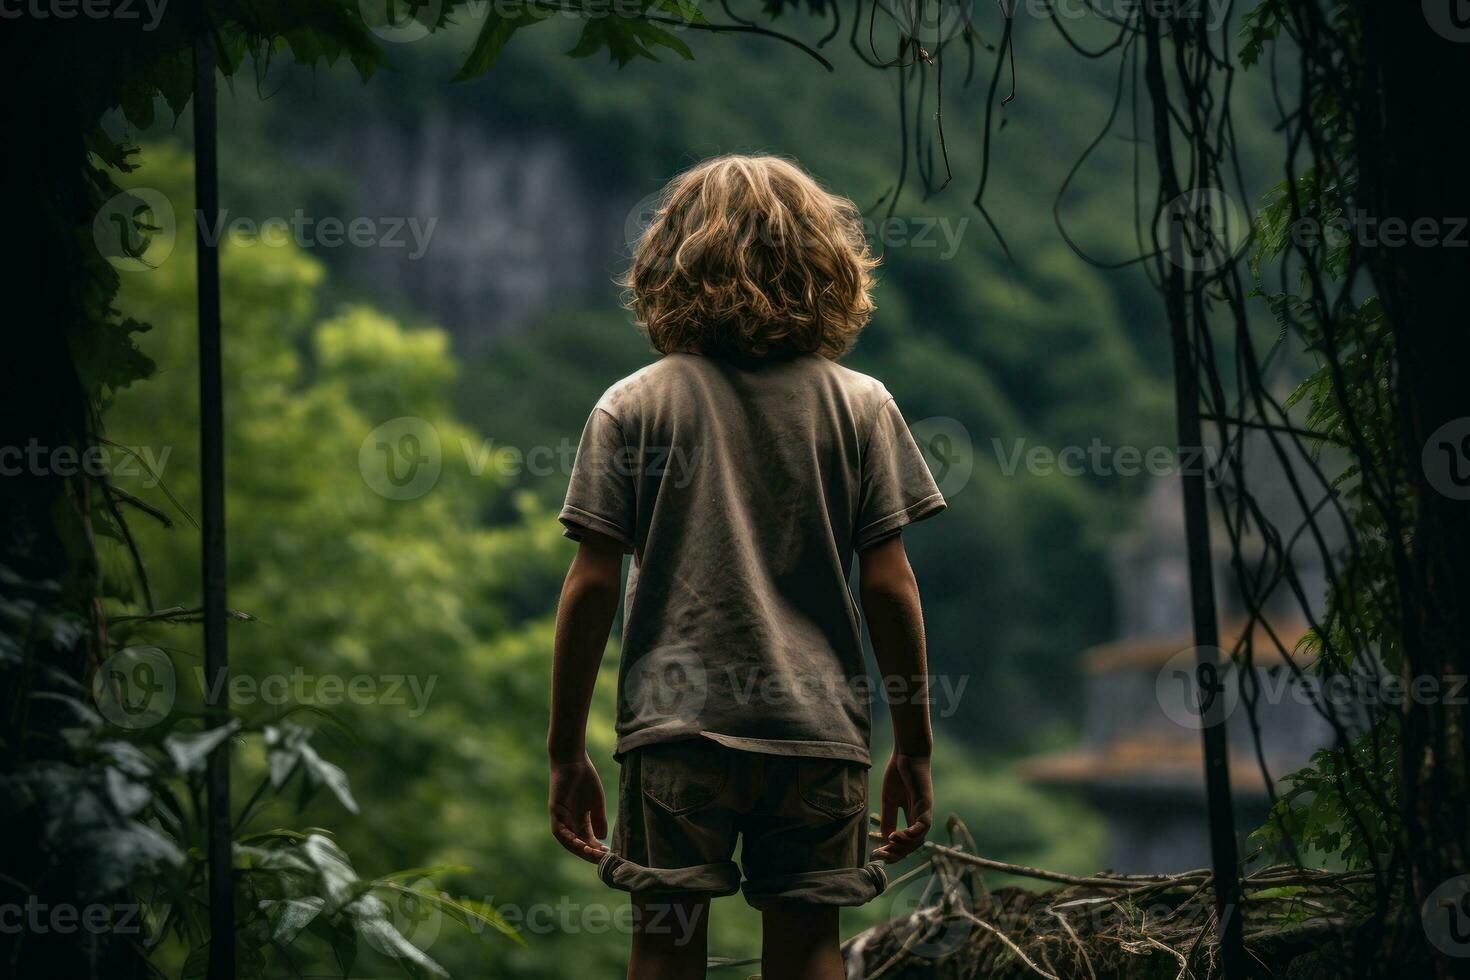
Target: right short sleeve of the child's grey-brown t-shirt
897	487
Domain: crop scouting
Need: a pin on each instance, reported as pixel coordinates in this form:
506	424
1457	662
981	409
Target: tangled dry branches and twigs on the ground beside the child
1099	926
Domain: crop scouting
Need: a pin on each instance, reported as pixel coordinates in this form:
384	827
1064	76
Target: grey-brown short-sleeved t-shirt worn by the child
743	491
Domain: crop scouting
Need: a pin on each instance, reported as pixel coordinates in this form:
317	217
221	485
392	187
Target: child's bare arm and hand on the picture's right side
896	622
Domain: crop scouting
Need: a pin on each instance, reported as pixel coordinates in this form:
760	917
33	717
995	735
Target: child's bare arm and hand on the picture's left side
583	621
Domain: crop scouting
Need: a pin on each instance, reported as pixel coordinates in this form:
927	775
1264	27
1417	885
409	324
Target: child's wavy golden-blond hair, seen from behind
750	256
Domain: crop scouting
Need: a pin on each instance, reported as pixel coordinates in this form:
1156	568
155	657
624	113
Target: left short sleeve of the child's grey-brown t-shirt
600	494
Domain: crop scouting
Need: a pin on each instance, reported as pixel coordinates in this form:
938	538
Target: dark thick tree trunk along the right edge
1413	168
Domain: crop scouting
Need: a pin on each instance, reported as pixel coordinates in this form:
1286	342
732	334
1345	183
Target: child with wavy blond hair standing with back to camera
743	471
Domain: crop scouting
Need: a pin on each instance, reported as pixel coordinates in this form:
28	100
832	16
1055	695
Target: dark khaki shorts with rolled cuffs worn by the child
803	824
